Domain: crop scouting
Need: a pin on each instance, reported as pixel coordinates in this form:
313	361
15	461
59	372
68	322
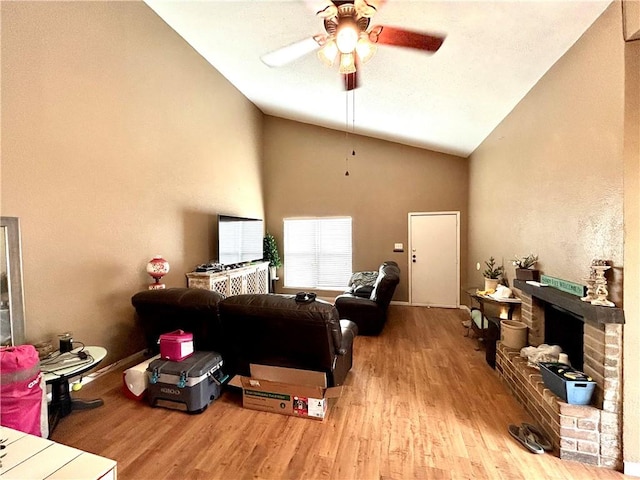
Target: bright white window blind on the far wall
317	252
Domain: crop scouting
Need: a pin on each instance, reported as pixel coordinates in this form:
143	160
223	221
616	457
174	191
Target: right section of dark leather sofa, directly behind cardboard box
276	330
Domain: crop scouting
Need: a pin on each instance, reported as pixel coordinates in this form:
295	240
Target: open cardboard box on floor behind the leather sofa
288	391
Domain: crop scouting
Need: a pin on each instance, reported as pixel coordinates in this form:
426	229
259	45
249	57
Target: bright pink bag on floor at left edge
22	391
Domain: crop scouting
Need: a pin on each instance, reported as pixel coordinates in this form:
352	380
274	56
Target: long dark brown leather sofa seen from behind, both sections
265	329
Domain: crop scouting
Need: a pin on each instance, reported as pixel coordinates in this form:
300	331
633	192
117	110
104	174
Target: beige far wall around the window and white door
305	176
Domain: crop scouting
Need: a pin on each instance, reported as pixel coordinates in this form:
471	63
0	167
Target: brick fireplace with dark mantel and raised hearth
592	433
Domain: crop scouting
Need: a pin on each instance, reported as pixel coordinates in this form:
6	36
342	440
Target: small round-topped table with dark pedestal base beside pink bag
57	372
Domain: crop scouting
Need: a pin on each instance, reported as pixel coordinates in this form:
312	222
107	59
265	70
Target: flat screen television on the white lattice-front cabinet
239	239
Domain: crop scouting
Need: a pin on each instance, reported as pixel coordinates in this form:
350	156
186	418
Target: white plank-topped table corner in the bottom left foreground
28	456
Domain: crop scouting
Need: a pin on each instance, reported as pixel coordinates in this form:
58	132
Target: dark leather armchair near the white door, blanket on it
370	313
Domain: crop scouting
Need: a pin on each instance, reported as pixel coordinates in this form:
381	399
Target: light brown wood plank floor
420	402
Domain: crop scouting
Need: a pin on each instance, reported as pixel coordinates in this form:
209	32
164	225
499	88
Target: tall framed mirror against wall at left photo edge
12	321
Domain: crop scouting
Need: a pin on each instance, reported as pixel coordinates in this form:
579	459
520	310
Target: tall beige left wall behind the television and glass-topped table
119	142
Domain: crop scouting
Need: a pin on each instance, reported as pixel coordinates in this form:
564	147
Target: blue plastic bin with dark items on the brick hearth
573	386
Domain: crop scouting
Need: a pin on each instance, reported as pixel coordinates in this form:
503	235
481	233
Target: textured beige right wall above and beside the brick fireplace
550	180
